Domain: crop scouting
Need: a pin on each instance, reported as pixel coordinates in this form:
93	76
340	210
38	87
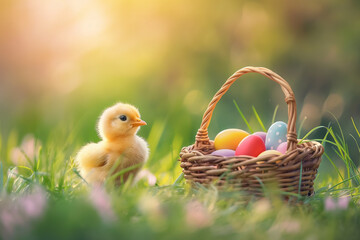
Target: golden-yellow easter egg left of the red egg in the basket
229	138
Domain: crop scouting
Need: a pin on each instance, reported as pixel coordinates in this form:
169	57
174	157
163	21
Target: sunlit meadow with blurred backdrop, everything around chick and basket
63	62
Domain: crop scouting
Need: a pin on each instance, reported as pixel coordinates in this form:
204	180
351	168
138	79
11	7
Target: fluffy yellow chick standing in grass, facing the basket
117	128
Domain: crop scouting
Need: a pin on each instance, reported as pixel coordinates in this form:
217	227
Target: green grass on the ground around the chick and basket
163	211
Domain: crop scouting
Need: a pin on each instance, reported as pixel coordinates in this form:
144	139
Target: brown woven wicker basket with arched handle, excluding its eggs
299	163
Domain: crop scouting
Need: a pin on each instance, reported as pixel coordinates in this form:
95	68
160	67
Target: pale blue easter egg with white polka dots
276	135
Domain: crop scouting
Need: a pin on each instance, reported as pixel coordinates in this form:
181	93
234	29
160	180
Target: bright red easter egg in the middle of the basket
251	146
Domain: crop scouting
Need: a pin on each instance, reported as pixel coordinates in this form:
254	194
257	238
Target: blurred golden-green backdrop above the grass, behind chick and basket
63	62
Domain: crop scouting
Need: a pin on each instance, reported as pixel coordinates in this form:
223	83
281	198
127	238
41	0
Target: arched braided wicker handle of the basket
202	138
